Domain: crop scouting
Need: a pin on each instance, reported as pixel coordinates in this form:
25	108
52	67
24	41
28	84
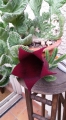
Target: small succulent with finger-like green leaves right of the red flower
53	61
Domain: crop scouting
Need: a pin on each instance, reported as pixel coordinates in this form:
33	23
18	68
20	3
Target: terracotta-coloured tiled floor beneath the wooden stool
19	111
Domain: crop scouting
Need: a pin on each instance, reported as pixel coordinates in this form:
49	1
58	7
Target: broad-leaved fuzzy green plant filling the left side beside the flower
11	20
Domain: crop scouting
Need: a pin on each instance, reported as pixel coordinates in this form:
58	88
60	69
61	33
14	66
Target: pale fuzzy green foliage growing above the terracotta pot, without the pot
44	22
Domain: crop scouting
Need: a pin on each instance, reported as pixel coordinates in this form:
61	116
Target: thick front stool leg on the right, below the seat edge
54	107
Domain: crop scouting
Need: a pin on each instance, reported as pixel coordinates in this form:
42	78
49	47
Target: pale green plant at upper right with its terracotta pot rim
47	25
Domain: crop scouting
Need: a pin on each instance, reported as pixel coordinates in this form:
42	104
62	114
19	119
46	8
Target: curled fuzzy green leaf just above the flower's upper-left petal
15	39
